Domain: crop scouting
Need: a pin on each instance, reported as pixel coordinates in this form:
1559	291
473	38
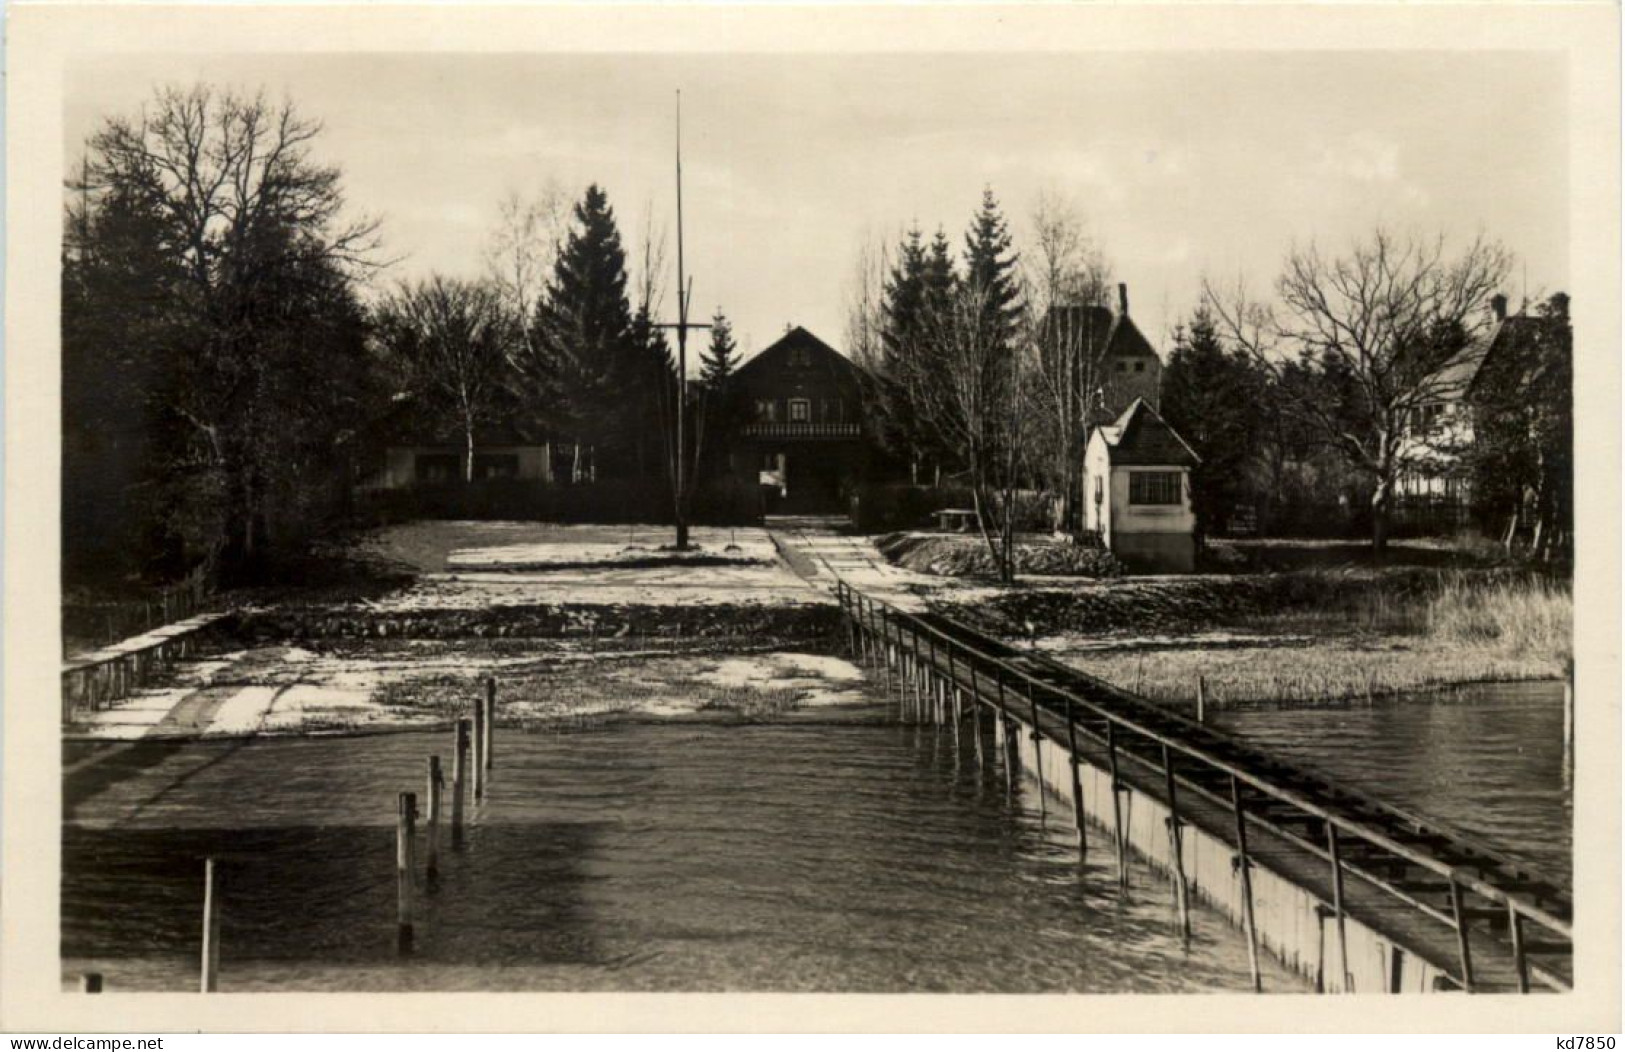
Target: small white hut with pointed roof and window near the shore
1138	492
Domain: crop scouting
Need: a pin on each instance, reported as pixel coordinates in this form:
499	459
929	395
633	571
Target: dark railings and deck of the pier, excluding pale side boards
1455	884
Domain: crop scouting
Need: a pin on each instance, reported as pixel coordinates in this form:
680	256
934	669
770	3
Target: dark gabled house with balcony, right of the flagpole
800	433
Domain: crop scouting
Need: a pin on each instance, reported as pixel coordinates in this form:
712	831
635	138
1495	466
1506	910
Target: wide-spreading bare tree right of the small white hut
1374	329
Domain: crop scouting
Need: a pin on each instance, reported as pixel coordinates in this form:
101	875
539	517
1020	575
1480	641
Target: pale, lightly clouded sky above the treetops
1182	163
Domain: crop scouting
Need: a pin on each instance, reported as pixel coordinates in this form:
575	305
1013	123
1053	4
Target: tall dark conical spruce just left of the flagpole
584	333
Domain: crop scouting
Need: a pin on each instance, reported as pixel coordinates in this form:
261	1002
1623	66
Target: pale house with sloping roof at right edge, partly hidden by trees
1436	492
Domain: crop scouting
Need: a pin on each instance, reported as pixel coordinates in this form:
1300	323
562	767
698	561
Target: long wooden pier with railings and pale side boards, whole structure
1346	890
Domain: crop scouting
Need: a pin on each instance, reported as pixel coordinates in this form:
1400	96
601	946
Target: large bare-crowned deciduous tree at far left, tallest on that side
253	228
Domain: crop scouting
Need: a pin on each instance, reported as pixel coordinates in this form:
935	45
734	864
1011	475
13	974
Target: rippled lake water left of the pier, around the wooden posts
843	854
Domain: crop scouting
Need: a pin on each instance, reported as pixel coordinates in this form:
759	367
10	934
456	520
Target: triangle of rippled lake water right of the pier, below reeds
1484	759
